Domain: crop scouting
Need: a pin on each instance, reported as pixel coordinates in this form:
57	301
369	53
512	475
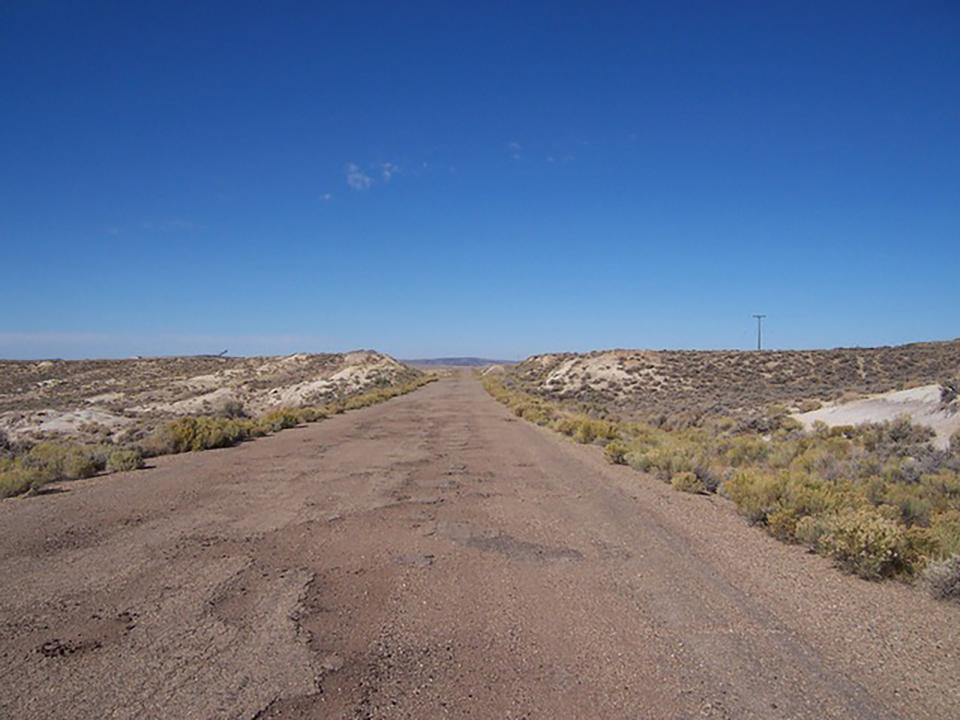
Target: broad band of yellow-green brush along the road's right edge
877	499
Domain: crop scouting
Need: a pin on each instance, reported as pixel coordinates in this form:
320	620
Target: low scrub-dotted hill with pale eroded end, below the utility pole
649	384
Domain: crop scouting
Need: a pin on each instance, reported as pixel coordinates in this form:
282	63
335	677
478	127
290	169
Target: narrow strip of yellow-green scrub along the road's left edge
27	468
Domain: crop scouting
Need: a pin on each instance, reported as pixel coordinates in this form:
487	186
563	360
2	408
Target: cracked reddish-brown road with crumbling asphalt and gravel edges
435	557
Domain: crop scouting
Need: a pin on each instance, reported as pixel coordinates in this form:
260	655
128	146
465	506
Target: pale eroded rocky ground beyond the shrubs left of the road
104	399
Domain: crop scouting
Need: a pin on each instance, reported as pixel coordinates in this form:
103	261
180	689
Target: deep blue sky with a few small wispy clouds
492	179
